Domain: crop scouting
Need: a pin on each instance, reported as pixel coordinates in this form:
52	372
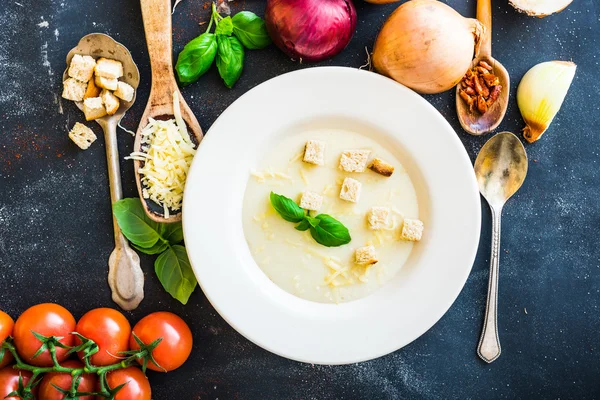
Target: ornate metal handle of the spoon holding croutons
125	276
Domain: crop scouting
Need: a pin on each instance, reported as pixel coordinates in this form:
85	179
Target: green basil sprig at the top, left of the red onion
226	44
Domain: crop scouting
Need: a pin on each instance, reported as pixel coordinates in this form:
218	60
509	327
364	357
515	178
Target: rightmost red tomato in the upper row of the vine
176	344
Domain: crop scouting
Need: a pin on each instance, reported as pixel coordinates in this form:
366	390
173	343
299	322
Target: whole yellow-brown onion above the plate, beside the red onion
427	46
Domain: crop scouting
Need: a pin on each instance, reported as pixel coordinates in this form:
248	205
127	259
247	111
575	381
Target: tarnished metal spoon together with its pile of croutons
101	78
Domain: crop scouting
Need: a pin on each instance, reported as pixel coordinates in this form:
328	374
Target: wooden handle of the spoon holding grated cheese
157	25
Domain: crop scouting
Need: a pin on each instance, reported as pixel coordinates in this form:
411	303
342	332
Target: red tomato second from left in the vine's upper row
48	320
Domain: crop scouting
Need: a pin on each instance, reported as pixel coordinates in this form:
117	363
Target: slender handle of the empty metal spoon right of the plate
489	343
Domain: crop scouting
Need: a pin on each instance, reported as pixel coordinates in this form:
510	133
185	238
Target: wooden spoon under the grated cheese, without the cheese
157	25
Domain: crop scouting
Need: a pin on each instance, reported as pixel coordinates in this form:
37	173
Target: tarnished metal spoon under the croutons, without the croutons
125	276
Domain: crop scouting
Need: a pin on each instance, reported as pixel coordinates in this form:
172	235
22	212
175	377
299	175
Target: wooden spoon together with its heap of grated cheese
169	133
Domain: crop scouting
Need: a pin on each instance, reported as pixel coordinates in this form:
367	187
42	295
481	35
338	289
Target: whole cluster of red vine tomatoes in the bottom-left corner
113	335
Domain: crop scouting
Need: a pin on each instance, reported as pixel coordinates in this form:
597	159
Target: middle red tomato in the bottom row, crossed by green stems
64	381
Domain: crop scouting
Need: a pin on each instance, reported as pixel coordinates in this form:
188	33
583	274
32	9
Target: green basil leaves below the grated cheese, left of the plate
172	265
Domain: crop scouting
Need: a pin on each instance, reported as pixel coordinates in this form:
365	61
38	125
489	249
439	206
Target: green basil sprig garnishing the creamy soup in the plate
325	229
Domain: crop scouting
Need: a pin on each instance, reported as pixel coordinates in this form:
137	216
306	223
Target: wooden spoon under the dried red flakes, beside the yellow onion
473	122
